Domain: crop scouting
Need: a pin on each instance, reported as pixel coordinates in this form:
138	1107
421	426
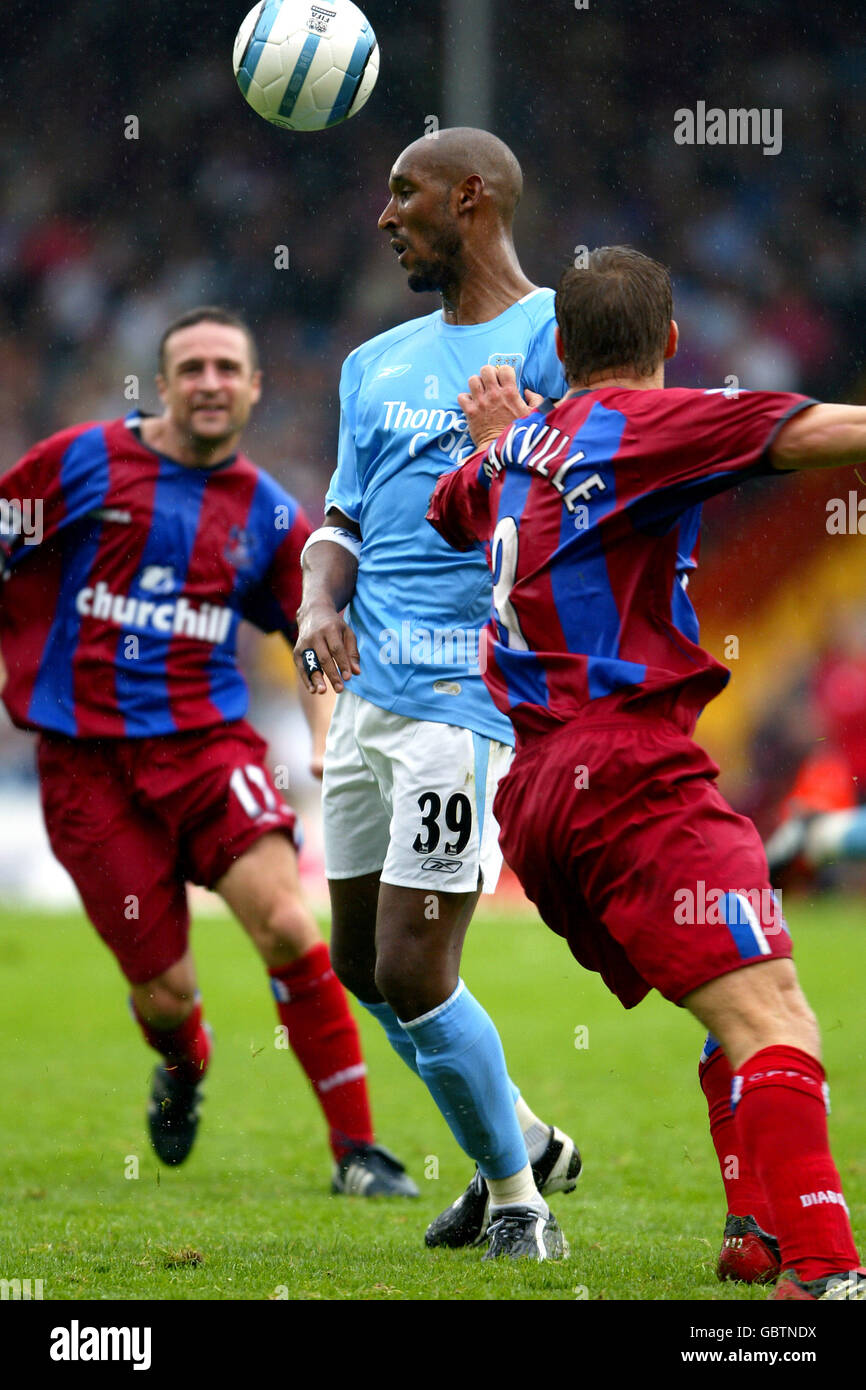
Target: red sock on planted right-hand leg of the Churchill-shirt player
323	1035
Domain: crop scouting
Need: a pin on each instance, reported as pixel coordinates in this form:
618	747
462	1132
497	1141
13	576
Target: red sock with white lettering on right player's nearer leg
782	1122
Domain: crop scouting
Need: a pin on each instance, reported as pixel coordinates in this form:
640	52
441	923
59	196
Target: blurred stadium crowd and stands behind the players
105	238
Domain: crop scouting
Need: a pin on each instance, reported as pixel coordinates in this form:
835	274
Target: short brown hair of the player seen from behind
615	312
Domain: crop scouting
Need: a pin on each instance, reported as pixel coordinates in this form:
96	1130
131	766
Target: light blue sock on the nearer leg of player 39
461	1058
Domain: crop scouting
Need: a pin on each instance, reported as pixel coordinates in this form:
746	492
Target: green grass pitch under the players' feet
250	1217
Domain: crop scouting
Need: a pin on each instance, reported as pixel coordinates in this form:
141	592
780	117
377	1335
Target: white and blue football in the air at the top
307	65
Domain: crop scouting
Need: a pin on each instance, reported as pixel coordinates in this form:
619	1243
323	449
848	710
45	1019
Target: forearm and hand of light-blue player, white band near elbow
330	571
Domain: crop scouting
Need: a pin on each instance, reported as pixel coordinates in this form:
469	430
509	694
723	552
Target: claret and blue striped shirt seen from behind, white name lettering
590	511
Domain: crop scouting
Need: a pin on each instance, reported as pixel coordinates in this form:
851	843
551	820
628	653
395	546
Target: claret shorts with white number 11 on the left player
134	821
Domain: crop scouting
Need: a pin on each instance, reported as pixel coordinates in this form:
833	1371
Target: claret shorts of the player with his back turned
623	842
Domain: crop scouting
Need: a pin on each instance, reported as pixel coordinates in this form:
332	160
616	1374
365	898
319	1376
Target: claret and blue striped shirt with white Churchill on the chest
127	576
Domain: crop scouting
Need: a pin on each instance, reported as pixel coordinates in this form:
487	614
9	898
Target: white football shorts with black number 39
411	800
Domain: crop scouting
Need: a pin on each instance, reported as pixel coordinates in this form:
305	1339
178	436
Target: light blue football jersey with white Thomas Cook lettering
419	607
